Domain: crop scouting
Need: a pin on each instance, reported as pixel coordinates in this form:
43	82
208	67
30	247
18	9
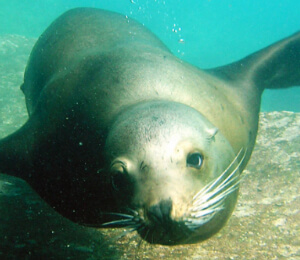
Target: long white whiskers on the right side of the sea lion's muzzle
209	200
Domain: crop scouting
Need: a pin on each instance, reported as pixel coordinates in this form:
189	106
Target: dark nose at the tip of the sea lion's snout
161	212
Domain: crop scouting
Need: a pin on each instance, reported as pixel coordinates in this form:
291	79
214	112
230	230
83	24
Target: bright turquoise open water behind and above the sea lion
206	33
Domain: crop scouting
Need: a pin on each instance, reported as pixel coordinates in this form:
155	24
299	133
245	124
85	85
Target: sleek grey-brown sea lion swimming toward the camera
122	132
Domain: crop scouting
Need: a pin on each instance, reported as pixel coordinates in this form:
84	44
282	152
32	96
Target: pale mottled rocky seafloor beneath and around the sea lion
265	223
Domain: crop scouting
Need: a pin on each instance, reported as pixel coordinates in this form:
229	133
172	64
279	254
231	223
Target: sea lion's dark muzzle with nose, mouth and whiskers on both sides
207	214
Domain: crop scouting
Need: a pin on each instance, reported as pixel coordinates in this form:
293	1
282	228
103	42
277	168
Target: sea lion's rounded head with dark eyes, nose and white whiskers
173	171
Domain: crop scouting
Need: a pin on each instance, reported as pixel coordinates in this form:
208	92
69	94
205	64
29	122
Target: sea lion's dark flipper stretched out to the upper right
276	66
